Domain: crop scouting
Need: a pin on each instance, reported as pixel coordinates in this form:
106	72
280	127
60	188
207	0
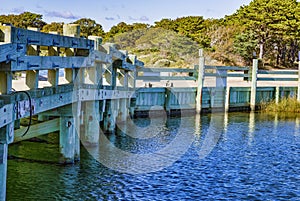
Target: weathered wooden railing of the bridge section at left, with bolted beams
64	63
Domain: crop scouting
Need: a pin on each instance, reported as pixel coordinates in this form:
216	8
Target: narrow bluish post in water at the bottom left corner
3	170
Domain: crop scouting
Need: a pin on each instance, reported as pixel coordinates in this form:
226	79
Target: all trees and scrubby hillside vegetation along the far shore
266	29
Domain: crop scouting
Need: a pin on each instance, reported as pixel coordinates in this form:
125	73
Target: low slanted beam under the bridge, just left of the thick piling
37	130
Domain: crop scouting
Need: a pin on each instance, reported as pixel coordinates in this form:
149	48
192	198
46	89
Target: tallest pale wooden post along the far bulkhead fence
200	81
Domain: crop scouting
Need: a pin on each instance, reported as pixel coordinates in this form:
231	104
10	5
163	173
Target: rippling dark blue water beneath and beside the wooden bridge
238	156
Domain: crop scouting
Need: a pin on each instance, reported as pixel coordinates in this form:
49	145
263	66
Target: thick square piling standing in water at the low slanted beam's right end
67	139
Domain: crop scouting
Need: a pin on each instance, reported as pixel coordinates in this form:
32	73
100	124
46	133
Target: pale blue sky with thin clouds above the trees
111	12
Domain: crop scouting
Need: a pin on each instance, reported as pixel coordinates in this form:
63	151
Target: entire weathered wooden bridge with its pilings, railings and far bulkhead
70	84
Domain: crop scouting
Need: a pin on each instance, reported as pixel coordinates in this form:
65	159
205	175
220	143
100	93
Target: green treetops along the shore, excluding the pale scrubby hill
266	29
